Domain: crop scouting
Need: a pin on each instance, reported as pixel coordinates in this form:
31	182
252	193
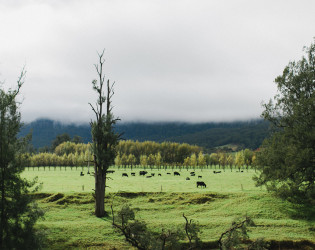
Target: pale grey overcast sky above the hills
172	60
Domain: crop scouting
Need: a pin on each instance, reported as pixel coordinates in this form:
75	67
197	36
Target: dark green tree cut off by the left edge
18	213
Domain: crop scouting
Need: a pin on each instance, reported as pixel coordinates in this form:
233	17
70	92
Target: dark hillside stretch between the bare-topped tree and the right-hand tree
208	135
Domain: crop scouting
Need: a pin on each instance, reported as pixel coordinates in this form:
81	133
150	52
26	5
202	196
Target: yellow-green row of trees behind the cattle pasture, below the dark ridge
144	154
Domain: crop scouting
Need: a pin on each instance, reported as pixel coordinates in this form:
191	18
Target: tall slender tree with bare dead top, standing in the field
104	137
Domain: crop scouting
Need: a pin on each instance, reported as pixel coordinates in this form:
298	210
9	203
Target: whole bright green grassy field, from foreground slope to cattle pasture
160	201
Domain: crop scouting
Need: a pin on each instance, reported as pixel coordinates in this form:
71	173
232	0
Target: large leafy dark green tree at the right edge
287	159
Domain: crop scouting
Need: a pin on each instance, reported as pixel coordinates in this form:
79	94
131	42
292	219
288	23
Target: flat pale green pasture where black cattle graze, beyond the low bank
66	180
